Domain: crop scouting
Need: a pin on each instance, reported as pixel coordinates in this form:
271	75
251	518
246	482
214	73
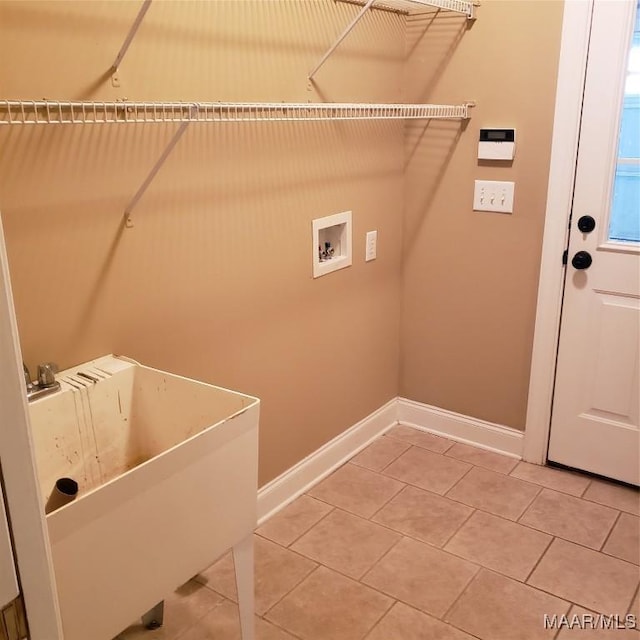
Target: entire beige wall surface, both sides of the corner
214	281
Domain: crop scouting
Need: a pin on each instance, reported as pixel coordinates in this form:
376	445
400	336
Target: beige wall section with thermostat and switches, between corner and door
470	279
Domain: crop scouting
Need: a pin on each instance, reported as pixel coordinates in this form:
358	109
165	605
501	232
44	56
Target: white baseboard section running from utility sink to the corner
279	492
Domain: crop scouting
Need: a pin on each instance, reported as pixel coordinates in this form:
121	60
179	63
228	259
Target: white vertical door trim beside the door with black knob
576	28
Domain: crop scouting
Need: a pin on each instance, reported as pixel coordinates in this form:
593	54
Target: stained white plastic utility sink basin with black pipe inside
167	475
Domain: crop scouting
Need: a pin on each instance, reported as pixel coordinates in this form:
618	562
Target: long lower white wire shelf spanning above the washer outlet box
27	112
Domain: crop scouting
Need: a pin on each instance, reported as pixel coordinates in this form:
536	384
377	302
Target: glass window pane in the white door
625	210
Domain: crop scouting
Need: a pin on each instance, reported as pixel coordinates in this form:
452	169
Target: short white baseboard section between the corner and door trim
479	433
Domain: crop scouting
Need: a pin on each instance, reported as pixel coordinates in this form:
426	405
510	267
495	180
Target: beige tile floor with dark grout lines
421	538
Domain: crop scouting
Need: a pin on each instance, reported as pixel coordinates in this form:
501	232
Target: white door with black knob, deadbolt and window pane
596	405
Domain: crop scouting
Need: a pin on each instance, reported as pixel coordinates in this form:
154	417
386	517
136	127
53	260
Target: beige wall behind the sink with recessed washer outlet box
214	281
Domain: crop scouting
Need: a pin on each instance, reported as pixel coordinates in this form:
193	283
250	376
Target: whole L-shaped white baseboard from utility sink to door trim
287	487
